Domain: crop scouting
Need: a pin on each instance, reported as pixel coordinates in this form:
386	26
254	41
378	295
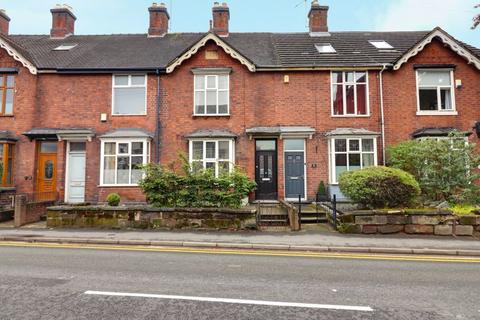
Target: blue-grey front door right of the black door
294	175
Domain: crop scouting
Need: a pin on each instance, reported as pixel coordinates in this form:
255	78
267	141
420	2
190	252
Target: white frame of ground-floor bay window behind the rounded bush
332	152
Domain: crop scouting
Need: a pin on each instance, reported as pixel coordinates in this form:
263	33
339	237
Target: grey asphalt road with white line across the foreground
59	283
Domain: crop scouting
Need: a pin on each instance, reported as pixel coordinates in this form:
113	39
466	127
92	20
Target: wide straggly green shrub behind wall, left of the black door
164	187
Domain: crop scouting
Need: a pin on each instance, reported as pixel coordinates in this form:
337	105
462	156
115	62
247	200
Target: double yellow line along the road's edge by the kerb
269	253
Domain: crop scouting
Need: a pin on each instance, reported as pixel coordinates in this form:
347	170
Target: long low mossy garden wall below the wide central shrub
145	217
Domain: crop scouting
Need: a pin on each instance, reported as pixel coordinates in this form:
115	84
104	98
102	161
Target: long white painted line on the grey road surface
233	301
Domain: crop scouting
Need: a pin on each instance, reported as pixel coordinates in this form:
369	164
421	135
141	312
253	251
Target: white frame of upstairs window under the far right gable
438	112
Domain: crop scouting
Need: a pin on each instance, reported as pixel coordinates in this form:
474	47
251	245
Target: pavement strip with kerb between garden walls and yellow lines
293	241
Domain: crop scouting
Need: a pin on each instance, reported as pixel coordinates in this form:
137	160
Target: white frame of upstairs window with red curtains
344	92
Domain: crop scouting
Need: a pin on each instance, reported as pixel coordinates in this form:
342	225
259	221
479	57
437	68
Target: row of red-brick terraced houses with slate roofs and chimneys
80	113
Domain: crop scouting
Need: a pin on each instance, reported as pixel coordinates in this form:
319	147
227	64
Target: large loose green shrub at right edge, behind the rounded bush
441	167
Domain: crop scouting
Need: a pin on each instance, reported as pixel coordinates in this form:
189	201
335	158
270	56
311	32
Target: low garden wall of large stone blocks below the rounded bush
437	222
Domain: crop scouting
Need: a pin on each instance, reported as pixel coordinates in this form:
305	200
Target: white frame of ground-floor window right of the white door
145	155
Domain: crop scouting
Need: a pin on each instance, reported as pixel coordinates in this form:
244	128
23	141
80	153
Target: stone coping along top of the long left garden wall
148	209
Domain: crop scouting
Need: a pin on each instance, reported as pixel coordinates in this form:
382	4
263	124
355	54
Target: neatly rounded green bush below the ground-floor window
380	187
